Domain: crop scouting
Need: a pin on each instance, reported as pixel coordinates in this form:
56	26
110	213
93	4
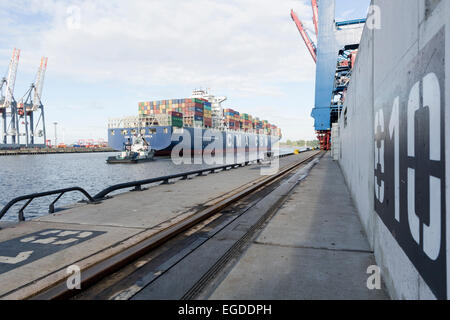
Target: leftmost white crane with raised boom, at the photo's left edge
8	106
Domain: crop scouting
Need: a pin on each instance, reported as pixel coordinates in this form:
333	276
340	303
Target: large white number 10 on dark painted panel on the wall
410	163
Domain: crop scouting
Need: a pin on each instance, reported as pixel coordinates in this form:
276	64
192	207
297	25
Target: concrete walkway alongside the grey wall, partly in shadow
313	248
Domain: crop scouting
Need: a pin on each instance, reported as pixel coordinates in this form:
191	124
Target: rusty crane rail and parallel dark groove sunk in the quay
116	277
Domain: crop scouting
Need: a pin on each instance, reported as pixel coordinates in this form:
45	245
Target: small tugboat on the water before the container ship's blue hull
138	151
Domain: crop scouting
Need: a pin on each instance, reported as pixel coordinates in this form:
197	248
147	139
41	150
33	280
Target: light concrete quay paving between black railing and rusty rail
123	220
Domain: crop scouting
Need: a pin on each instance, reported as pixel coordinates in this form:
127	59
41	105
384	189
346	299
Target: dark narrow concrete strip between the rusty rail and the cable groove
186	274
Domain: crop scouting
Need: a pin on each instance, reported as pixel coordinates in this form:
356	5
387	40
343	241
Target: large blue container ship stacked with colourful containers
201	118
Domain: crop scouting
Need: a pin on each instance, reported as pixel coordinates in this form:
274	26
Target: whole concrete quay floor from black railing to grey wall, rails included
222	226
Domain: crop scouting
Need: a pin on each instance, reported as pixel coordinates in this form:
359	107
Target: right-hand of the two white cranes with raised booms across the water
31	103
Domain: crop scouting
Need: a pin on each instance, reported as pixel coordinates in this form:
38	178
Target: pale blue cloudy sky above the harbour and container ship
105	56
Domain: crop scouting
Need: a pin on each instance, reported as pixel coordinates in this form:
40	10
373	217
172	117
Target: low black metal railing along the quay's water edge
104	193
